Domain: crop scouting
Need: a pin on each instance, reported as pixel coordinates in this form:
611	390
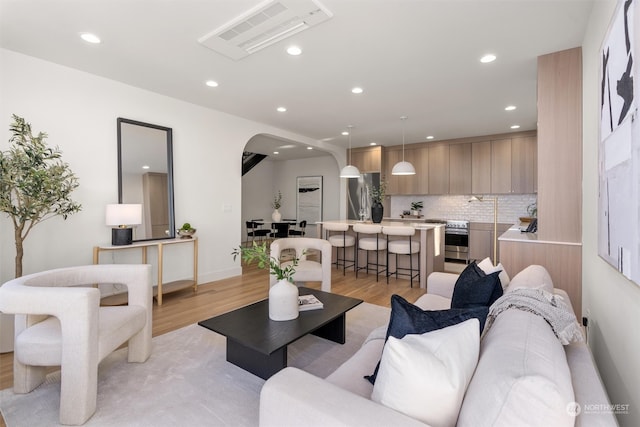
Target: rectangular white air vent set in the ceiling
265	24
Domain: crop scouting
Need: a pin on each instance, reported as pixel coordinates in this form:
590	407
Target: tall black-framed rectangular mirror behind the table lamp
145	176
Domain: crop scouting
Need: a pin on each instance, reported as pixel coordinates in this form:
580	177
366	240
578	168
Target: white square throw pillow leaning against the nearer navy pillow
425	376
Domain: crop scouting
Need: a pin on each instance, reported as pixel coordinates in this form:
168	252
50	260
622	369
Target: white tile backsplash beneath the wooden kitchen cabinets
510	207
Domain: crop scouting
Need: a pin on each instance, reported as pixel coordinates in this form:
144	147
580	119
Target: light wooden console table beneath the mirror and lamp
162	288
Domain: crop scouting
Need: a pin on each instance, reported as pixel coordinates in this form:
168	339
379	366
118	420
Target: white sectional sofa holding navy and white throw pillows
524	376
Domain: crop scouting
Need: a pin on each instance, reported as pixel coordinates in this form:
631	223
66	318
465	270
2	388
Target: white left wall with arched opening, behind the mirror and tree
78	111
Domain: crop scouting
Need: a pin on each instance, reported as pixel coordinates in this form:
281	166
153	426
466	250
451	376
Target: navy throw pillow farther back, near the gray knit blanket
476	289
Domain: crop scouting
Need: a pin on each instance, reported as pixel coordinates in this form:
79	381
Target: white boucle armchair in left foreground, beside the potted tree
59	322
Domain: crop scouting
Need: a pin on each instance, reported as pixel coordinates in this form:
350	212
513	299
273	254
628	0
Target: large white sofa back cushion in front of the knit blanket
522	375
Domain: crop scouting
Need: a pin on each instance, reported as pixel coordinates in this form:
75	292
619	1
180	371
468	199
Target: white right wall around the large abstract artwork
611	302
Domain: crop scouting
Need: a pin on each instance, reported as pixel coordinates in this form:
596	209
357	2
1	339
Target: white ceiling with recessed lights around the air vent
414	58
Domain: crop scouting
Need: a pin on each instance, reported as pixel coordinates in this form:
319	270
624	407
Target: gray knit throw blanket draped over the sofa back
542	303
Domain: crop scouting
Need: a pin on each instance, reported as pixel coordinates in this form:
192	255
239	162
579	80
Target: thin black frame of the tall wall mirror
169	151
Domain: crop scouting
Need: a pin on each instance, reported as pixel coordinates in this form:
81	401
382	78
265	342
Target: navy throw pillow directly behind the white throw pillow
407	318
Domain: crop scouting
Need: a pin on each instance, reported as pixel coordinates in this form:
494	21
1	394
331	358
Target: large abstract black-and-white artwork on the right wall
619	144
